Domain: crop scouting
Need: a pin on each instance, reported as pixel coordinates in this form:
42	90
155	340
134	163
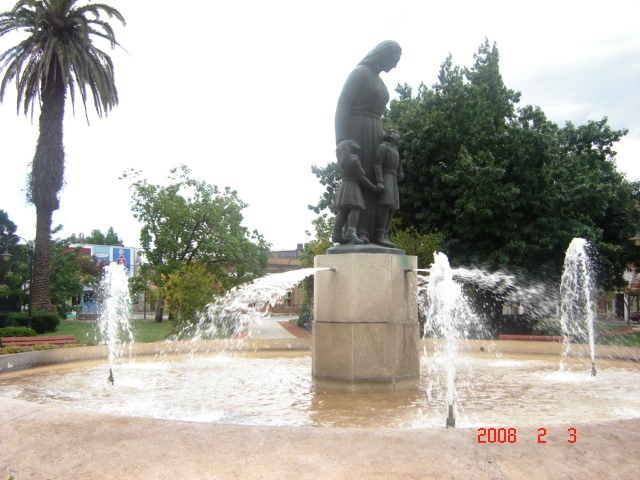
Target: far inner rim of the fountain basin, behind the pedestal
26	360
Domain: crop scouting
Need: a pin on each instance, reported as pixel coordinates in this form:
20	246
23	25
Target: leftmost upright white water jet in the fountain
115	328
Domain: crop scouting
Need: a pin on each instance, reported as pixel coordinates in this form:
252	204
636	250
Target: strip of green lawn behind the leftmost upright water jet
144	331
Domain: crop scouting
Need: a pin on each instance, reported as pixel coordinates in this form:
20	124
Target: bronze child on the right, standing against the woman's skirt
386	168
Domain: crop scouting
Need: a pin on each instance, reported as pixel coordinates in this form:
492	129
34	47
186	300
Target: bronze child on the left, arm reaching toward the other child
348	200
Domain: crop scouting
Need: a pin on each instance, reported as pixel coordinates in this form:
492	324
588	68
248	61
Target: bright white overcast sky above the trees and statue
244	93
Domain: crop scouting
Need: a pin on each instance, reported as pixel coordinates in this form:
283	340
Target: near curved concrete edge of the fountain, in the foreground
57	442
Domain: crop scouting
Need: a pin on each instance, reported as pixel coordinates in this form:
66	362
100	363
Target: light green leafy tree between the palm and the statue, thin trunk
189	221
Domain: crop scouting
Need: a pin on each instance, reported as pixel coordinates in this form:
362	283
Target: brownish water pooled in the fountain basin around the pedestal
265	388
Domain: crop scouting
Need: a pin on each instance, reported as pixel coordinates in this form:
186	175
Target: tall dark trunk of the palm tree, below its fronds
47	173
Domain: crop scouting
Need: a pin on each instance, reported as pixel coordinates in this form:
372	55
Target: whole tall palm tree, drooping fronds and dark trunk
57	55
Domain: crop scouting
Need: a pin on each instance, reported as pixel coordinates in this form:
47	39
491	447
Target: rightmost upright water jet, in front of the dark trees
577	307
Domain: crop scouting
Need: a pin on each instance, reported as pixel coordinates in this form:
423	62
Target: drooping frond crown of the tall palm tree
60	39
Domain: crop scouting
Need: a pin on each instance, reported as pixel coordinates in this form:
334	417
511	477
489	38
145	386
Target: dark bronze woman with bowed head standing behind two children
361	104
